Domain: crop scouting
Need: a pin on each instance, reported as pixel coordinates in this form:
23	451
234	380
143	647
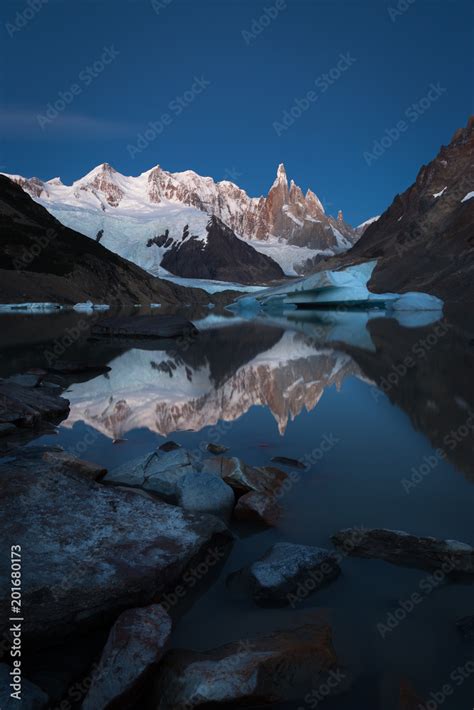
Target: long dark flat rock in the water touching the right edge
401	548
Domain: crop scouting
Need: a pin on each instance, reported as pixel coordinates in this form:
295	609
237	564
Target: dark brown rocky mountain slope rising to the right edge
425	240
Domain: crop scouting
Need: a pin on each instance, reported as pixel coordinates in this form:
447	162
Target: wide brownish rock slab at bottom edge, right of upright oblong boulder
264	670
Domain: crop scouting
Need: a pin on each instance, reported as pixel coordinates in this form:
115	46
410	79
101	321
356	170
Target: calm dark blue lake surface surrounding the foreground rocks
383	412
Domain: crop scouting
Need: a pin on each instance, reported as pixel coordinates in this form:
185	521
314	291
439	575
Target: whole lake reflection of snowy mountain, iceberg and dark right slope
224	372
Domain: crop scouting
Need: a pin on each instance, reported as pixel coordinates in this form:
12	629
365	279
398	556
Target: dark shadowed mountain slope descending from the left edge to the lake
43	261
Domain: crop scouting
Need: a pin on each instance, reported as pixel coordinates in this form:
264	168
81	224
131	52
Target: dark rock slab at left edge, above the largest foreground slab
29	406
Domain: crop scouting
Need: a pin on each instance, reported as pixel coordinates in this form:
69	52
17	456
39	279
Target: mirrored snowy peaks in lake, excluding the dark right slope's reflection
219	377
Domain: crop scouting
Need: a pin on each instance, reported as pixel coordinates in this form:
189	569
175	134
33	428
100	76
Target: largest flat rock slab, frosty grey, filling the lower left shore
90	551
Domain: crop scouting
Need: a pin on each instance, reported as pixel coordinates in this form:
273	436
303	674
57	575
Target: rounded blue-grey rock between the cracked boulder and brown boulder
202	492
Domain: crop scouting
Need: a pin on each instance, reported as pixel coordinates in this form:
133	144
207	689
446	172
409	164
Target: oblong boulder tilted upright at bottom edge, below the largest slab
136	643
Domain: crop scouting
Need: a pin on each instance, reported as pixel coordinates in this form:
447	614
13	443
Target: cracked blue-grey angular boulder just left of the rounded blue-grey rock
158	472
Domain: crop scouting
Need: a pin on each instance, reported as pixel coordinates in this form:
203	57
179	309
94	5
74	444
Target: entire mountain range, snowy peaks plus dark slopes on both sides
194	227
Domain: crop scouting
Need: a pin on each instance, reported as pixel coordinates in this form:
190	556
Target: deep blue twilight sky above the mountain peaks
352	95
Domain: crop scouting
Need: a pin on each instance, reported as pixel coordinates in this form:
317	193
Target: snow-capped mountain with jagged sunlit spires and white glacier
123	213
